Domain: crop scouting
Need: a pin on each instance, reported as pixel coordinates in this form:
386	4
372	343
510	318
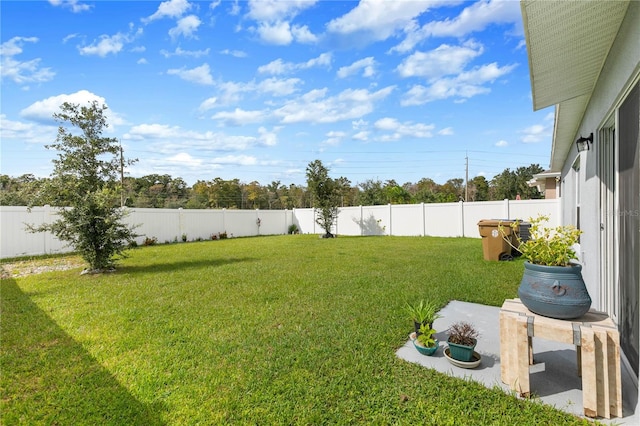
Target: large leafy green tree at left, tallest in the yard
86	178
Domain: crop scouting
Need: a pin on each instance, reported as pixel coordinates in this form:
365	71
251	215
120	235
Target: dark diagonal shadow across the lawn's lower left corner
49	378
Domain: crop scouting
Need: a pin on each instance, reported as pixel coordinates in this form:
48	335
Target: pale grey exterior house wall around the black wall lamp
620	69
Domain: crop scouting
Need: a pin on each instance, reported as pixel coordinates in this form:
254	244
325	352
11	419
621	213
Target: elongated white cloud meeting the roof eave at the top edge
476	17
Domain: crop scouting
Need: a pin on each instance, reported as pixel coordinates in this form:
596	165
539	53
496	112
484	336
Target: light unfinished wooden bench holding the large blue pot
597	344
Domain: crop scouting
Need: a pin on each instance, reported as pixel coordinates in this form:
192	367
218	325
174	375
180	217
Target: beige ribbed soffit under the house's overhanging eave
568	43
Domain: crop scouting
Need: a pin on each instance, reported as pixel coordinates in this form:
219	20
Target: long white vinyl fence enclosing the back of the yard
168	225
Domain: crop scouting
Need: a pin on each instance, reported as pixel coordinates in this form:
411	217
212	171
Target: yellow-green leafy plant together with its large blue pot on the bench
552	283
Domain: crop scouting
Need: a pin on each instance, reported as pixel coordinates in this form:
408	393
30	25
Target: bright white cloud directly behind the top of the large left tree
42	111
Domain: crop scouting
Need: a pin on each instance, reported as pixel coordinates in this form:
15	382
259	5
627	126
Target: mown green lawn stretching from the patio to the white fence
270	330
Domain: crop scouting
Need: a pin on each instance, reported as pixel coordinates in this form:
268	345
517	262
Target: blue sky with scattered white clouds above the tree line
256	90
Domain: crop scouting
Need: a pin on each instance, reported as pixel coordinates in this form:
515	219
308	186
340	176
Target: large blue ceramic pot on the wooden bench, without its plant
554	291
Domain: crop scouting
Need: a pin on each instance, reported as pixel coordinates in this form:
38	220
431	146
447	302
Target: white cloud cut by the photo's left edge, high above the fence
22	72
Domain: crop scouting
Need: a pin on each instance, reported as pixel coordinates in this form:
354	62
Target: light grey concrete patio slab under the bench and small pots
553	377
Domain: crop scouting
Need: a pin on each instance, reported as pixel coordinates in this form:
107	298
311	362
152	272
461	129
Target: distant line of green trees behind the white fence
165	191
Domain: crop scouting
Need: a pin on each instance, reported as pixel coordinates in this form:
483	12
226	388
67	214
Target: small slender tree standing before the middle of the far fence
325	195
